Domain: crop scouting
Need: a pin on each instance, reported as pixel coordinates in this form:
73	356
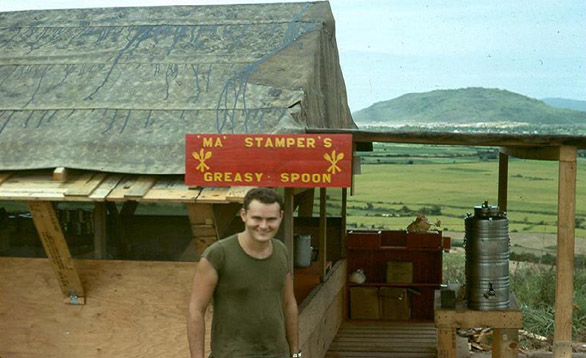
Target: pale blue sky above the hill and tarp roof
389	48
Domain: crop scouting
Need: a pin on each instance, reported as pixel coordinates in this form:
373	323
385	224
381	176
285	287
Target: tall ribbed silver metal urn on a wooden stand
487	258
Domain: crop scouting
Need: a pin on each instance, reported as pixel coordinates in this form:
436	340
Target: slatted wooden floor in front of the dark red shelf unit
373	339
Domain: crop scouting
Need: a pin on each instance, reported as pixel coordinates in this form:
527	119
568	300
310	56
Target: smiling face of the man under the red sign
261	221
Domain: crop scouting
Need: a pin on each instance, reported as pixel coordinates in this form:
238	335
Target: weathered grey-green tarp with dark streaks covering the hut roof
116	89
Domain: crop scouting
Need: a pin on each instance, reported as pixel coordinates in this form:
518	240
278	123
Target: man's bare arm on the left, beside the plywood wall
204	284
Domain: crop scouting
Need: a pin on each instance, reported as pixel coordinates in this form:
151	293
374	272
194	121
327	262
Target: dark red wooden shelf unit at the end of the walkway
375	252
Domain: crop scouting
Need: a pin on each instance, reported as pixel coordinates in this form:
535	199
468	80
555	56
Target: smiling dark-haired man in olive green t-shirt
247	274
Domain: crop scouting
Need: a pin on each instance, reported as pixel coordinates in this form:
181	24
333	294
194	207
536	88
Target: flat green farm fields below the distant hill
445	182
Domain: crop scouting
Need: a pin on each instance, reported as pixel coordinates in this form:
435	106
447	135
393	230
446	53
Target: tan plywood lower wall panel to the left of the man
133	309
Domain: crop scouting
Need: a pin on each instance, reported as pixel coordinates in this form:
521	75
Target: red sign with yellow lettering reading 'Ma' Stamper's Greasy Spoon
273	160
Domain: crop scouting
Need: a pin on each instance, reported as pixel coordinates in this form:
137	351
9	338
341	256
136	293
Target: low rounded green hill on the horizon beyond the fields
467	106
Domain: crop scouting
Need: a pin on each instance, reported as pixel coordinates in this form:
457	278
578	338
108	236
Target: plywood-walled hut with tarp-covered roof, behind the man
94	108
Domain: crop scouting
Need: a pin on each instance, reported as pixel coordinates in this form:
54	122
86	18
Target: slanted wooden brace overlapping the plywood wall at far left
49	230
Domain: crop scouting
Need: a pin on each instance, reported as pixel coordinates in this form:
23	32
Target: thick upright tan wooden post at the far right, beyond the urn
564	293
